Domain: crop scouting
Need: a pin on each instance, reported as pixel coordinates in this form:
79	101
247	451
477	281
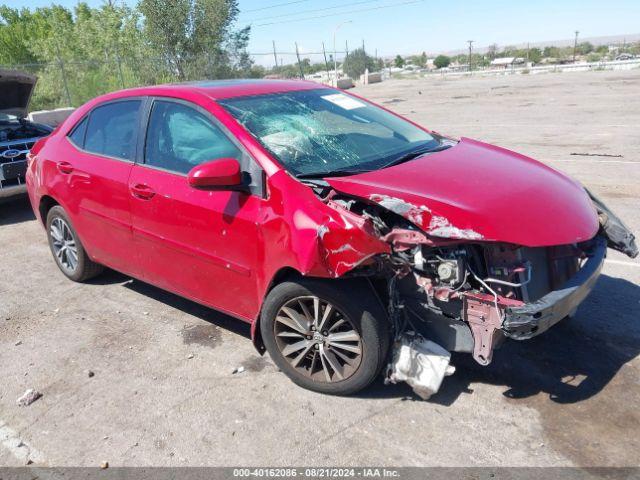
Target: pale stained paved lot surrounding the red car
569	397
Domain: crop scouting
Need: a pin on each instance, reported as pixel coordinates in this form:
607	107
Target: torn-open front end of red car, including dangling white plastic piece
465	294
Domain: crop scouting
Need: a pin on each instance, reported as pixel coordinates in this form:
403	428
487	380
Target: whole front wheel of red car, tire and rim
327	336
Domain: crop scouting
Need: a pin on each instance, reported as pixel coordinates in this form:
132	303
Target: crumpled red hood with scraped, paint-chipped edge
476	191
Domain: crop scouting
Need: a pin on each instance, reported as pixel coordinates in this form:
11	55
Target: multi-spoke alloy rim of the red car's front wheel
317	339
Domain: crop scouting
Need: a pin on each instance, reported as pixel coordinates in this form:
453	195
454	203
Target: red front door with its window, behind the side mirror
198	243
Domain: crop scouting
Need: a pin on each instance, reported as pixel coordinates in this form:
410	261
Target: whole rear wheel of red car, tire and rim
67	250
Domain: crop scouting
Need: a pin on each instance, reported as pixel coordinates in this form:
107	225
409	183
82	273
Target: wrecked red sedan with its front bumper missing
348	237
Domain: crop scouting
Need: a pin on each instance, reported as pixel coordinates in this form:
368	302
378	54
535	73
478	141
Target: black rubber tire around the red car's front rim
353	300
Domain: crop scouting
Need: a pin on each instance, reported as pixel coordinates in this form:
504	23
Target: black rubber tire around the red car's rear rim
84	268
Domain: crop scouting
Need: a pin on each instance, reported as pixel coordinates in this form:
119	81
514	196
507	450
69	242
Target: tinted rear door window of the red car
112	130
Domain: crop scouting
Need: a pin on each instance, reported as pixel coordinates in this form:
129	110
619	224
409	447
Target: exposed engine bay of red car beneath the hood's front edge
442	289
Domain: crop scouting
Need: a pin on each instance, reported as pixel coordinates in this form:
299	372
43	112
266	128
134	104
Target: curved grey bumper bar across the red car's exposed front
529	320
